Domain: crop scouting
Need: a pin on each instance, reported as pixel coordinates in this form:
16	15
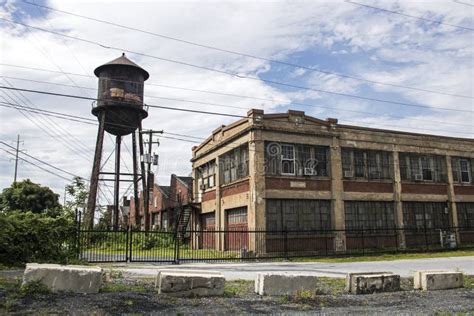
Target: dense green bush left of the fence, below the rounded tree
31	237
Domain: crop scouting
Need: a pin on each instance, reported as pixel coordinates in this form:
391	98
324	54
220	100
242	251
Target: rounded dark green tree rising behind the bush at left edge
27	196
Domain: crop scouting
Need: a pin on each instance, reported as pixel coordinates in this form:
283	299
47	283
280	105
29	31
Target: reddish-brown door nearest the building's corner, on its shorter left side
236	236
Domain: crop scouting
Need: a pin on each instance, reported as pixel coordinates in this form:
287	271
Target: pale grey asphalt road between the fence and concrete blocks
249	270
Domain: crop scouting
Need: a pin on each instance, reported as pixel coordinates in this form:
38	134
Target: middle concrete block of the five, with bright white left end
284	284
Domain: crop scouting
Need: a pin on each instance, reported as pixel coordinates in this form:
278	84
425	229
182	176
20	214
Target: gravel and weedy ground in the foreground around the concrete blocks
119	297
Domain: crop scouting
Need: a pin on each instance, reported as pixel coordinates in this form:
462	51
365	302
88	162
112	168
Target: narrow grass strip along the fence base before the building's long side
388	257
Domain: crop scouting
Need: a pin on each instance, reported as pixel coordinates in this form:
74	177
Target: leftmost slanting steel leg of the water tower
91	200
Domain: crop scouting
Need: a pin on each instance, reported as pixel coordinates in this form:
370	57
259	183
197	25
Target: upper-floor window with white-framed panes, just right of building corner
296	159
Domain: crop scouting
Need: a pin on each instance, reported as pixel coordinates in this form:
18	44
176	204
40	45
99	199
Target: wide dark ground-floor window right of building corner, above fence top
294	215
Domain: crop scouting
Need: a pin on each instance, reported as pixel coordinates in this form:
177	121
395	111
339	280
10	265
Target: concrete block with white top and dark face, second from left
191	283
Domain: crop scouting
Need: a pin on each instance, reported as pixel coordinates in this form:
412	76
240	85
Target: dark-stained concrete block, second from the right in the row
376	283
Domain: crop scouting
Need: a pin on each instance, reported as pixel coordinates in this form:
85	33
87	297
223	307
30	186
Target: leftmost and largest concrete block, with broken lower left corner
66	278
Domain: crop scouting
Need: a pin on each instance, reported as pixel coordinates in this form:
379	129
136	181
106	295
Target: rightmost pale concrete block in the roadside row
437	280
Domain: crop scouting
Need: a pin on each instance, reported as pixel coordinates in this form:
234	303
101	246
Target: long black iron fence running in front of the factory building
241	245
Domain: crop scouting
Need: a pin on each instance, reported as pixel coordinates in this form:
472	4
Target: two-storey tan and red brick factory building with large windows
290	171
